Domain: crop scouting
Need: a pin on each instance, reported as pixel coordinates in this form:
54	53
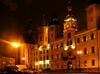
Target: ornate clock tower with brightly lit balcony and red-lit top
70	27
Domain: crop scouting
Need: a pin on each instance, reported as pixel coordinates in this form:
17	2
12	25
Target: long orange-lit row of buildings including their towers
76	49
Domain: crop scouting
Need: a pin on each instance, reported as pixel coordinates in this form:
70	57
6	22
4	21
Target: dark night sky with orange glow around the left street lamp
15	15
